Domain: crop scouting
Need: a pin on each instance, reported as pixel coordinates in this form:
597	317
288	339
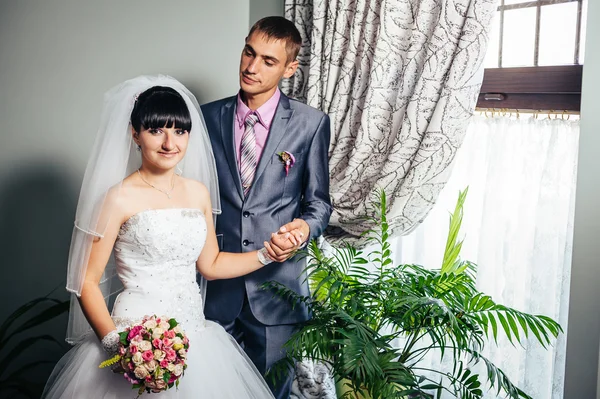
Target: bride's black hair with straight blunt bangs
158	107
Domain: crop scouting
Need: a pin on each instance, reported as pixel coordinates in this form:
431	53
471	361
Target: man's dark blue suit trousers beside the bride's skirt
263	344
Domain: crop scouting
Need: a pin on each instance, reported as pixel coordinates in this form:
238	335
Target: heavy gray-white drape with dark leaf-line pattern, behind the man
400	80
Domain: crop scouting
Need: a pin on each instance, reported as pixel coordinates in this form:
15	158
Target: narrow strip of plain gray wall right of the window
584	309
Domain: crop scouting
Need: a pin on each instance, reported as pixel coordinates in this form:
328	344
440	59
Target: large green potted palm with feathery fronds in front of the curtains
358	314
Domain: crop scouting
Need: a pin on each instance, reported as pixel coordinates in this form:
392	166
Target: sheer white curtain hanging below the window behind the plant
517	227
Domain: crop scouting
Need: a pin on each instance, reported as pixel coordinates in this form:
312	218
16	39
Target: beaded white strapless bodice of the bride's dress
156	253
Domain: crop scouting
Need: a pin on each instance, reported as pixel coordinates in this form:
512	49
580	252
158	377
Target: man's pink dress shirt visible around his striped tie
265	114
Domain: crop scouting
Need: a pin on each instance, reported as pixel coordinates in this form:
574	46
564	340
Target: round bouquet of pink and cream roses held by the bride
151	355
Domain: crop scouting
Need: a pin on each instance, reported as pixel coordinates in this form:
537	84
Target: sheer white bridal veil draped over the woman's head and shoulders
113	158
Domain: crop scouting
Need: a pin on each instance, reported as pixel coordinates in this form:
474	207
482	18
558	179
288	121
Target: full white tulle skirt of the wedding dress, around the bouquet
217	368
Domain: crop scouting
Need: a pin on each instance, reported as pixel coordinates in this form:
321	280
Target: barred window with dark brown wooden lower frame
535	56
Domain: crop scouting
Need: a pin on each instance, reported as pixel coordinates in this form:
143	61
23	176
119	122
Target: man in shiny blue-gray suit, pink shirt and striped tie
271	154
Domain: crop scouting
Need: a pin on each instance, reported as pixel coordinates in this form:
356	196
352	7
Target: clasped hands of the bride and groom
287	240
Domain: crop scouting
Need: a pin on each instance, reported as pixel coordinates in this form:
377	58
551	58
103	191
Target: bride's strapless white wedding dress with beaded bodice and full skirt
156	252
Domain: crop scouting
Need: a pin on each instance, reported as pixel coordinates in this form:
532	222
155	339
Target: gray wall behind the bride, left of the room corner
57	58
